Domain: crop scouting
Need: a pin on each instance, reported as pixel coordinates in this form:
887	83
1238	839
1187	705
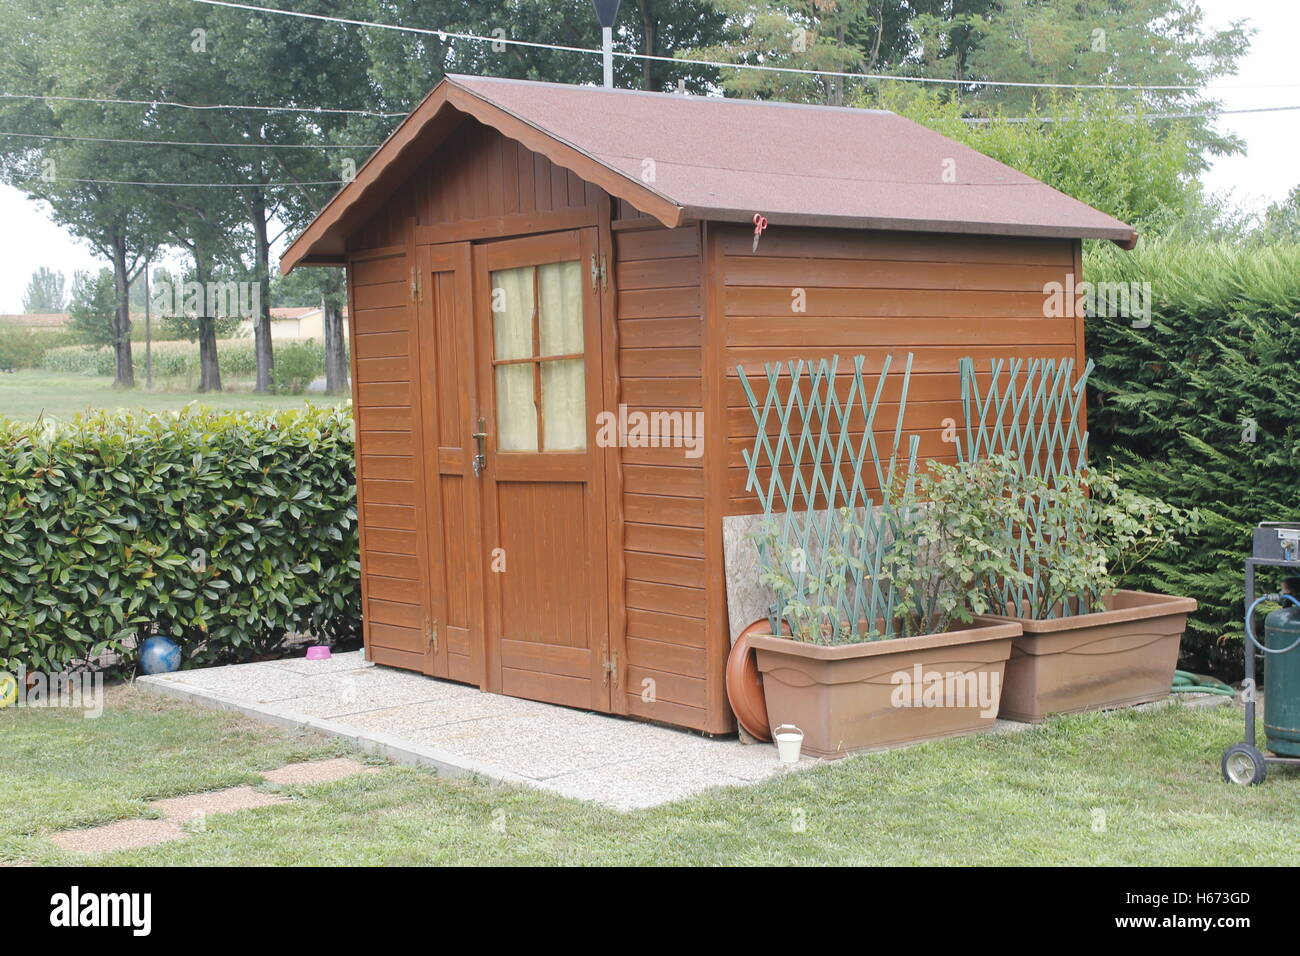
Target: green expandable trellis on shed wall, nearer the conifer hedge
1033	417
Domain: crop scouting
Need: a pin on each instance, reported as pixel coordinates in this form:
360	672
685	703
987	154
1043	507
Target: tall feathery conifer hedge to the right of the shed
1172	405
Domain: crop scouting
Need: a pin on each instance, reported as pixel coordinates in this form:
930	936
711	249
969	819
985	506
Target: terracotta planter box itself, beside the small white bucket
873	697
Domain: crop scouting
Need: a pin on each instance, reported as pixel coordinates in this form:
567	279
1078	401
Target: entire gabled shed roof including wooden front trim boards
725	159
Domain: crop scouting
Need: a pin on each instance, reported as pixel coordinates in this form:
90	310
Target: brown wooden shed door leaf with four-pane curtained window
540	387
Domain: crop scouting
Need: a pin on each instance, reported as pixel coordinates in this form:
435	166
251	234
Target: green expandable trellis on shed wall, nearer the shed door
824	534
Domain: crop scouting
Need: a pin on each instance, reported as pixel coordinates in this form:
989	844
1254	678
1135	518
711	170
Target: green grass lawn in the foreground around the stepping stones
1015	799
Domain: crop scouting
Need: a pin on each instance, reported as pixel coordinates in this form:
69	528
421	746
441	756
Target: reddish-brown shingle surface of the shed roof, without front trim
798	165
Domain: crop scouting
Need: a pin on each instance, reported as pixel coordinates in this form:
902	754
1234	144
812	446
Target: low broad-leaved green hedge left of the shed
222	530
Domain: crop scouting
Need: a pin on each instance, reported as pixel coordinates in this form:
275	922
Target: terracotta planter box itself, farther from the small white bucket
1113	659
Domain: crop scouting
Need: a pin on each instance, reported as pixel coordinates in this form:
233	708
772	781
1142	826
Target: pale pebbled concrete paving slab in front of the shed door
411	719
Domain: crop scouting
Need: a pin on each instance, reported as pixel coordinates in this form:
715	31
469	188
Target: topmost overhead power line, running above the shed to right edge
476	38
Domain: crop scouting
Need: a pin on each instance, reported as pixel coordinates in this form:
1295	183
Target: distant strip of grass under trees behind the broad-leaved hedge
28	393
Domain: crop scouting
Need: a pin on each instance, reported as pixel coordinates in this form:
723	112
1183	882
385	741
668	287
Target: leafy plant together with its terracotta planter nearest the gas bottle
1086	643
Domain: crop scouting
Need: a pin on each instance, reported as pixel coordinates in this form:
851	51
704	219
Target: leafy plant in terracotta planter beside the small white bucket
887	643
